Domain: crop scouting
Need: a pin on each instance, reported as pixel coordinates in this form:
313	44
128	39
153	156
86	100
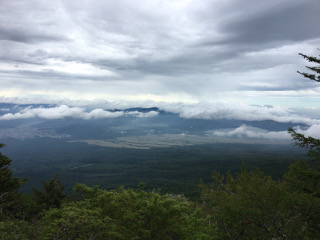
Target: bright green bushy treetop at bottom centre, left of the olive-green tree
126	214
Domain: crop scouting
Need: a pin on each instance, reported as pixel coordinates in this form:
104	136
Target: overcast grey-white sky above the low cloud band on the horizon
242	51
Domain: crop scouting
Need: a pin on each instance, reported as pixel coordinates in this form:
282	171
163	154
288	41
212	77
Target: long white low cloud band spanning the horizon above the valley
202	110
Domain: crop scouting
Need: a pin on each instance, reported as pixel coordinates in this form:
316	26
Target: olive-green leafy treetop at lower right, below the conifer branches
251	205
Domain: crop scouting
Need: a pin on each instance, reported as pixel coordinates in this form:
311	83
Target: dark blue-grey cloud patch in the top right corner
289	22
